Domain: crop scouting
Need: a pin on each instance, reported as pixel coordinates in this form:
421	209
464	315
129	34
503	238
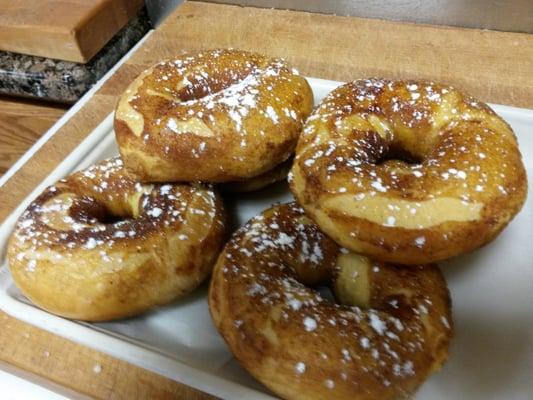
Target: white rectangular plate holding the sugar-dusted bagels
492	291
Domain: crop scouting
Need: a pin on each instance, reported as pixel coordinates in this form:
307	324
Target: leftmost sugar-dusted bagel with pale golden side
98	245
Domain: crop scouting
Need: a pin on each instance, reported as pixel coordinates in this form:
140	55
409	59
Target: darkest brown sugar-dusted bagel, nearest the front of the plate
391	330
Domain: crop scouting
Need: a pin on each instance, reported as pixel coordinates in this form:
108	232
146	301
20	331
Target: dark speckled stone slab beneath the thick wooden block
65	81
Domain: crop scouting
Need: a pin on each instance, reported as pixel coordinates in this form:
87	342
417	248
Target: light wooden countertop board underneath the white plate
494	66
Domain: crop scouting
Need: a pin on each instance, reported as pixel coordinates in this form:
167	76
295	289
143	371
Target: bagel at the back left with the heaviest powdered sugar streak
213	116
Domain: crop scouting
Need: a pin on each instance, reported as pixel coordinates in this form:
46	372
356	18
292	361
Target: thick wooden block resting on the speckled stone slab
73	30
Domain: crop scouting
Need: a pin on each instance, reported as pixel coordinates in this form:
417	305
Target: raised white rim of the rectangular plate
121	346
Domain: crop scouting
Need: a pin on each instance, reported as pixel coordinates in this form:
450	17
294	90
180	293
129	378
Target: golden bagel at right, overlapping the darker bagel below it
409	172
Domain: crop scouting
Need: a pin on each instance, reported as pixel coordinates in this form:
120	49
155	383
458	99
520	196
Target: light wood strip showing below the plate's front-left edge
81	369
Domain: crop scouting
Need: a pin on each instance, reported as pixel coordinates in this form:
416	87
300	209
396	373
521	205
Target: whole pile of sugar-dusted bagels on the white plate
389	177
